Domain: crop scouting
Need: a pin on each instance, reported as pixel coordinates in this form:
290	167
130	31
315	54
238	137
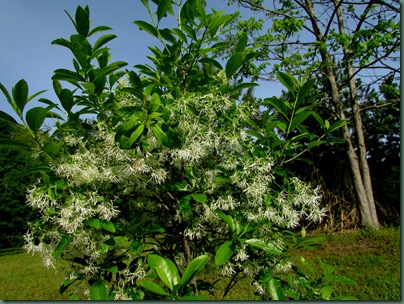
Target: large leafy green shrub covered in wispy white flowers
172	170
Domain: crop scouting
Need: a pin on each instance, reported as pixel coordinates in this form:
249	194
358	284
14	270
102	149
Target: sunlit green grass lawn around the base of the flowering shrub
372	259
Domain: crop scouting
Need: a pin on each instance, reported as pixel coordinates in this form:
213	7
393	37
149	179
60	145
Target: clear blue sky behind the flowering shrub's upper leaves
27	28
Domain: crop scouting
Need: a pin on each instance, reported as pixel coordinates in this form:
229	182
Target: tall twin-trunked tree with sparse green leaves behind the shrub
341	42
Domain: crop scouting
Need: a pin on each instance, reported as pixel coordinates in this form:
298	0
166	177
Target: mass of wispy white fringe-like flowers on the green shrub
213	142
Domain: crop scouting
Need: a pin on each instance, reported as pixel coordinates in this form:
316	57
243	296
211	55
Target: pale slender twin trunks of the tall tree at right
359	167
